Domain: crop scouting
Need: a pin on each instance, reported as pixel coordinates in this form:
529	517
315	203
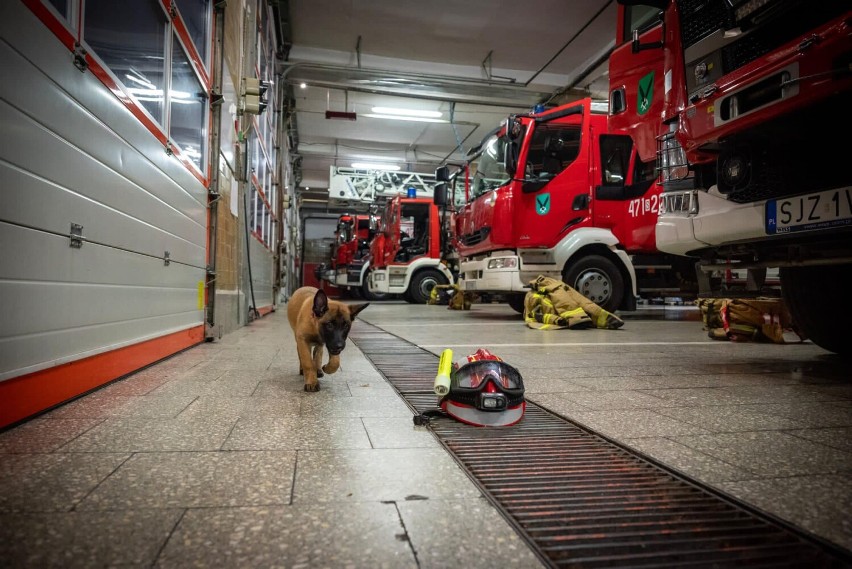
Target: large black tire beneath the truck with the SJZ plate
818	301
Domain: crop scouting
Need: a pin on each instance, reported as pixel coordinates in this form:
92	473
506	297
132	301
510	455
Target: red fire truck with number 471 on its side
560	194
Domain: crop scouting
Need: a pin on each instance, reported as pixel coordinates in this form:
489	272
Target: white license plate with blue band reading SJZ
820	210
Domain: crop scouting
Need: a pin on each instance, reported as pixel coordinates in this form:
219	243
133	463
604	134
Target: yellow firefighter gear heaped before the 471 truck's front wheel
552	304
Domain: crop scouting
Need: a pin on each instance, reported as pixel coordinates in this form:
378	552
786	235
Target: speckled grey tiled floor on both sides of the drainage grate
217	457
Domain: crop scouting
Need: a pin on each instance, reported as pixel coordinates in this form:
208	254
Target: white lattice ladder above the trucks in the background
358	189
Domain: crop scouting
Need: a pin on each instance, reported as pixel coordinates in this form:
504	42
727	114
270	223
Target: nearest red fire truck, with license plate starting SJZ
753	95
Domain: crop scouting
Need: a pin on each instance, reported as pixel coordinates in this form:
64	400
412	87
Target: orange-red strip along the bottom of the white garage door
25	396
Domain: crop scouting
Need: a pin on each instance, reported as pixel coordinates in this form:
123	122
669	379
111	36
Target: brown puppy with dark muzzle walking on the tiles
316	322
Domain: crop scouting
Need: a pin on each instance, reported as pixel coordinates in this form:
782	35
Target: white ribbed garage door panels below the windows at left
73	153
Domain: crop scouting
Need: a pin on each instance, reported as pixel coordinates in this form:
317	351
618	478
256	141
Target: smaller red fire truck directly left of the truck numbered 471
408	253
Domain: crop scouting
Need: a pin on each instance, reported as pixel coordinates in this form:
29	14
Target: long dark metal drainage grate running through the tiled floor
581	501
